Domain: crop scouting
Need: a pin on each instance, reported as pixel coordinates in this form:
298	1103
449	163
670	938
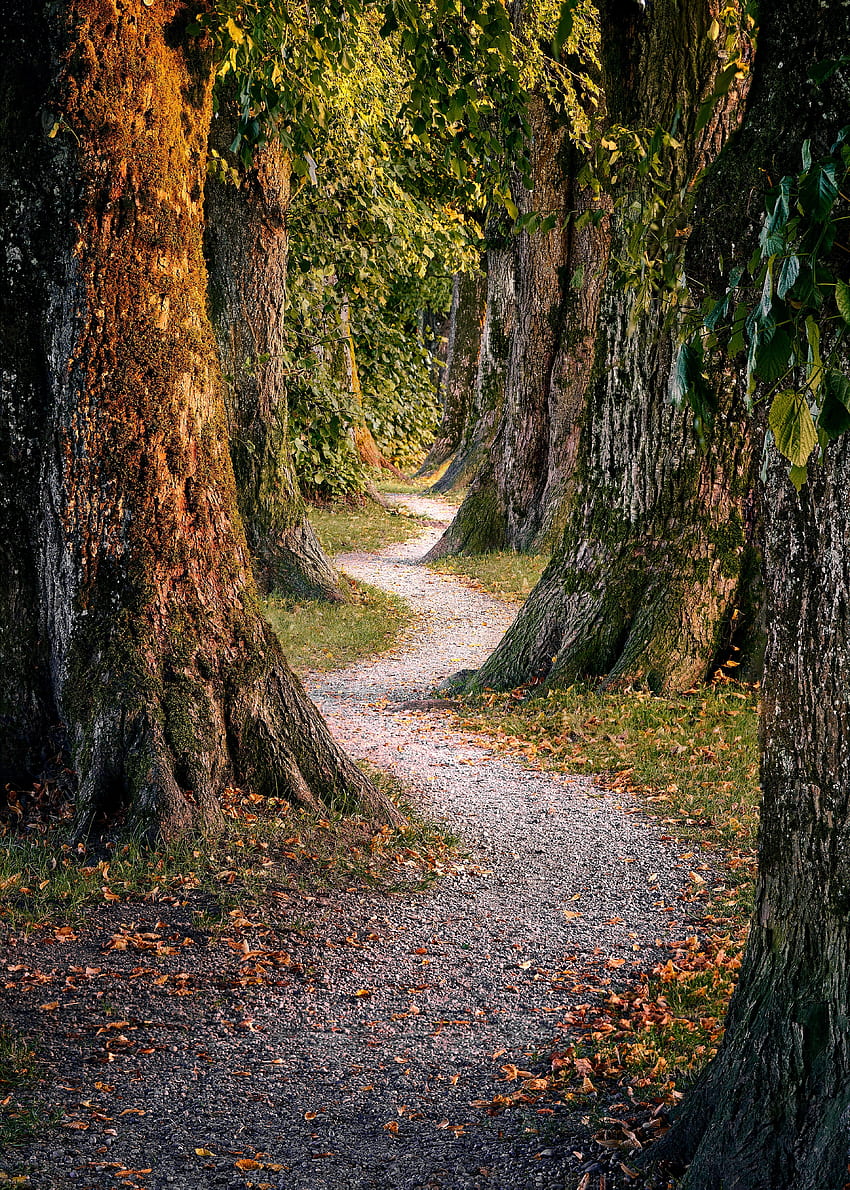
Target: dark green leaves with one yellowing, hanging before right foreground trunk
790	310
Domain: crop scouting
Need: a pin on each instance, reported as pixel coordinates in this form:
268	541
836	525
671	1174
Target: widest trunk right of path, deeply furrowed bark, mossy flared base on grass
649	568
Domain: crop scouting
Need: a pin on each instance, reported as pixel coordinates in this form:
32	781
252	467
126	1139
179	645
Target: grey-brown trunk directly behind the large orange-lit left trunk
247	250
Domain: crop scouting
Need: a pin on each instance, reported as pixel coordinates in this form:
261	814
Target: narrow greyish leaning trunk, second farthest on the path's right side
489	391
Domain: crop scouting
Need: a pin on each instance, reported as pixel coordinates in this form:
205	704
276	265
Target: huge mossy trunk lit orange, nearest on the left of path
132	577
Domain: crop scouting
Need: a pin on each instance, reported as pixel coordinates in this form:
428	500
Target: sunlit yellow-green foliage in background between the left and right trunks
371	249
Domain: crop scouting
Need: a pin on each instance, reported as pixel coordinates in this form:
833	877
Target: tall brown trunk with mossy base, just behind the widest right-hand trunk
514	496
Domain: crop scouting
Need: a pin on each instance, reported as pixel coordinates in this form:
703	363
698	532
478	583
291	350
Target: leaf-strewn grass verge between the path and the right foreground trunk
691	762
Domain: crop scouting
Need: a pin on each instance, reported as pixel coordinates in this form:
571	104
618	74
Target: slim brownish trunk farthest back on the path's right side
466	329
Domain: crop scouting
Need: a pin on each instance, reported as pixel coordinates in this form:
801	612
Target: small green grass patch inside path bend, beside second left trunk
320	636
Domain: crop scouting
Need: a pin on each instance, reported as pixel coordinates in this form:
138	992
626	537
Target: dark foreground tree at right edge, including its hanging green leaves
772	1111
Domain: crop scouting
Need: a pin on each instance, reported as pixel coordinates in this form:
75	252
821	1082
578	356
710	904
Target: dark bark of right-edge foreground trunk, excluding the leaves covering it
772	1112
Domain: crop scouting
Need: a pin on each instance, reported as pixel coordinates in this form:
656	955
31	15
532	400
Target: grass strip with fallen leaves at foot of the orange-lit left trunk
265	848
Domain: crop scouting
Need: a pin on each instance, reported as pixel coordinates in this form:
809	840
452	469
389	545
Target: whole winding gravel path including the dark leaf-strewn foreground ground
355	1038
